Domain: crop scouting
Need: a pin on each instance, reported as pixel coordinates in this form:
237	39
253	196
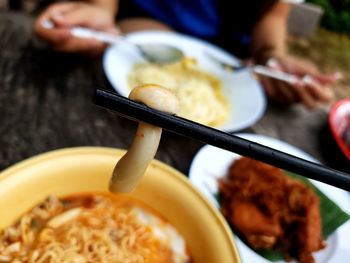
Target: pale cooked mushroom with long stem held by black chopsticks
133	164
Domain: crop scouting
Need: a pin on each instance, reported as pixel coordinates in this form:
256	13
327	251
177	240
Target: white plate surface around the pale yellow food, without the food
246	96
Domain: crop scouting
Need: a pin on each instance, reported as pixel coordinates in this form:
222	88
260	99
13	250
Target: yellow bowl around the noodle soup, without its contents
85	169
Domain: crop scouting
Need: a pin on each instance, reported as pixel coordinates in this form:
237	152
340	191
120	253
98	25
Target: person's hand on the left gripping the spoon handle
67	15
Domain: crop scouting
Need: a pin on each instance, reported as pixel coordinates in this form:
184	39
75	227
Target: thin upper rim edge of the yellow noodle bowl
180	177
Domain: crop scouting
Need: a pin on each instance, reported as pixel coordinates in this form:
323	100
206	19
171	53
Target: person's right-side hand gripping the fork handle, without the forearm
311	88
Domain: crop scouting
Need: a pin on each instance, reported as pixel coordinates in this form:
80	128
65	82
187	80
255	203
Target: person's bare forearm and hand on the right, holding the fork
311	88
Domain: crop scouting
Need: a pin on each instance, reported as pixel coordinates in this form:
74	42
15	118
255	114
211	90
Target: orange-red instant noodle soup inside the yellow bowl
92	228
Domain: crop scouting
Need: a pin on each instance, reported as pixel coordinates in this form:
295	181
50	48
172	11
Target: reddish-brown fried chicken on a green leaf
271	210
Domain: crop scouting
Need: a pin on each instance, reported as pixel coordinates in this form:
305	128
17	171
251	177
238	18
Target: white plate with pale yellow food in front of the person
229	101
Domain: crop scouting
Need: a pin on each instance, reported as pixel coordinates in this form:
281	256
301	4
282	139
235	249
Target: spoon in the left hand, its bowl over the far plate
153	52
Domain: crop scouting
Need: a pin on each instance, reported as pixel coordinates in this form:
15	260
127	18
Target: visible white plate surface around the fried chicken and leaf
211	163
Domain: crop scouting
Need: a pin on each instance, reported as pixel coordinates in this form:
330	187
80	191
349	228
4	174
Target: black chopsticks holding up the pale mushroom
227	141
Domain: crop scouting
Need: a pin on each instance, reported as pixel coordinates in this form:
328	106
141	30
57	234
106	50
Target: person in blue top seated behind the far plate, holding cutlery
253	29
